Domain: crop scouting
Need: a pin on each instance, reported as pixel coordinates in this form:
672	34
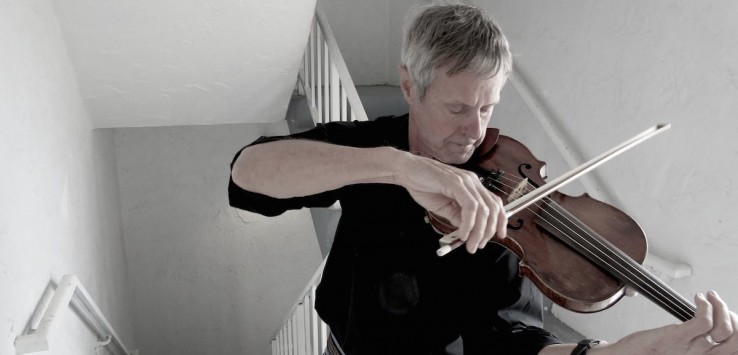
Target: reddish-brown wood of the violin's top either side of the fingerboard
562	274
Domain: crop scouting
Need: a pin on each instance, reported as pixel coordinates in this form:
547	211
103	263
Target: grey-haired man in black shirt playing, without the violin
384	290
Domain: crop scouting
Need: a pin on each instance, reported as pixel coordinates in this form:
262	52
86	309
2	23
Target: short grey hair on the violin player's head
437	34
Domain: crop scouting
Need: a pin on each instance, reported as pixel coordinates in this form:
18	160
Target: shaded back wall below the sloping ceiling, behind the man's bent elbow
207	278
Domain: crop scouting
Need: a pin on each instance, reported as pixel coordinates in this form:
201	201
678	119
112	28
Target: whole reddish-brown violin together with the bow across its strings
580	252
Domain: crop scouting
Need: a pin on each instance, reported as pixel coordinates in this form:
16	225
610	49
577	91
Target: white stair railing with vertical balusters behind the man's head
325	79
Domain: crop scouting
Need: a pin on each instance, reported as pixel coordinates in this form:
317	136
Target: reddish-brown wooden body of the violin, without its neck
565	275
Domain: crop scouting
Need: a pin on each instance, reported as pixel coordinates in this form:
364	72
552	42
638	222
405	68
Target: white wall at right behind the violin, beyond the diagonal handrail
609	70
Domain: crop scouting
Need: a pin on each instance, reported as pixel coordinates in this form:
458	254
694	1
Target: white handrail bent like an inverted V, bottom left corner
69	290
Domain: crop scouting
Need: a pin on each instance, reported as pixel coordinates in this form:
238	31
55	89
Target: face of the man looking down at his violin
452	119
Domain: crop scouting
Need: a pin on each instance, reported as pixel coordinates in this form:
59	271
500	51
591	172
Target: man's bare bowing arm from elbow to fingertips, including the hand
296	167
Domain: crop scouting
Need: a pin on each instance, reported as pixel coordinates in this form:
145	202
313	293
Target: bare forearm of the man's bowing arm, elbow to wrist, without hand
290	168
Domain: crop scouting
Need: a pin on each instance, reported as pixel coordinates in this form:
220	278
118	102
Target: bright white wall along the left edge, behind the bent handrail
59	209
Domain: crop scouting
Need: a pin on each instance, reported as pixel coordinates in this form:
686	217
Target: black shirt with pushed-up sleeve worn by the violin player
384	290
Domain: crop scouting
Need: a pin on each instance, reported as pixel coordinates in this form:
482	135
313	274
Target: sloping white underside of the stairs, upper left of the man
170	62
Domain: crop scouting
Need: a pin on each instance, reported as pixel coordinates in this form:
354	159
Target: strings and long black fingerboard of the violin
626	266
